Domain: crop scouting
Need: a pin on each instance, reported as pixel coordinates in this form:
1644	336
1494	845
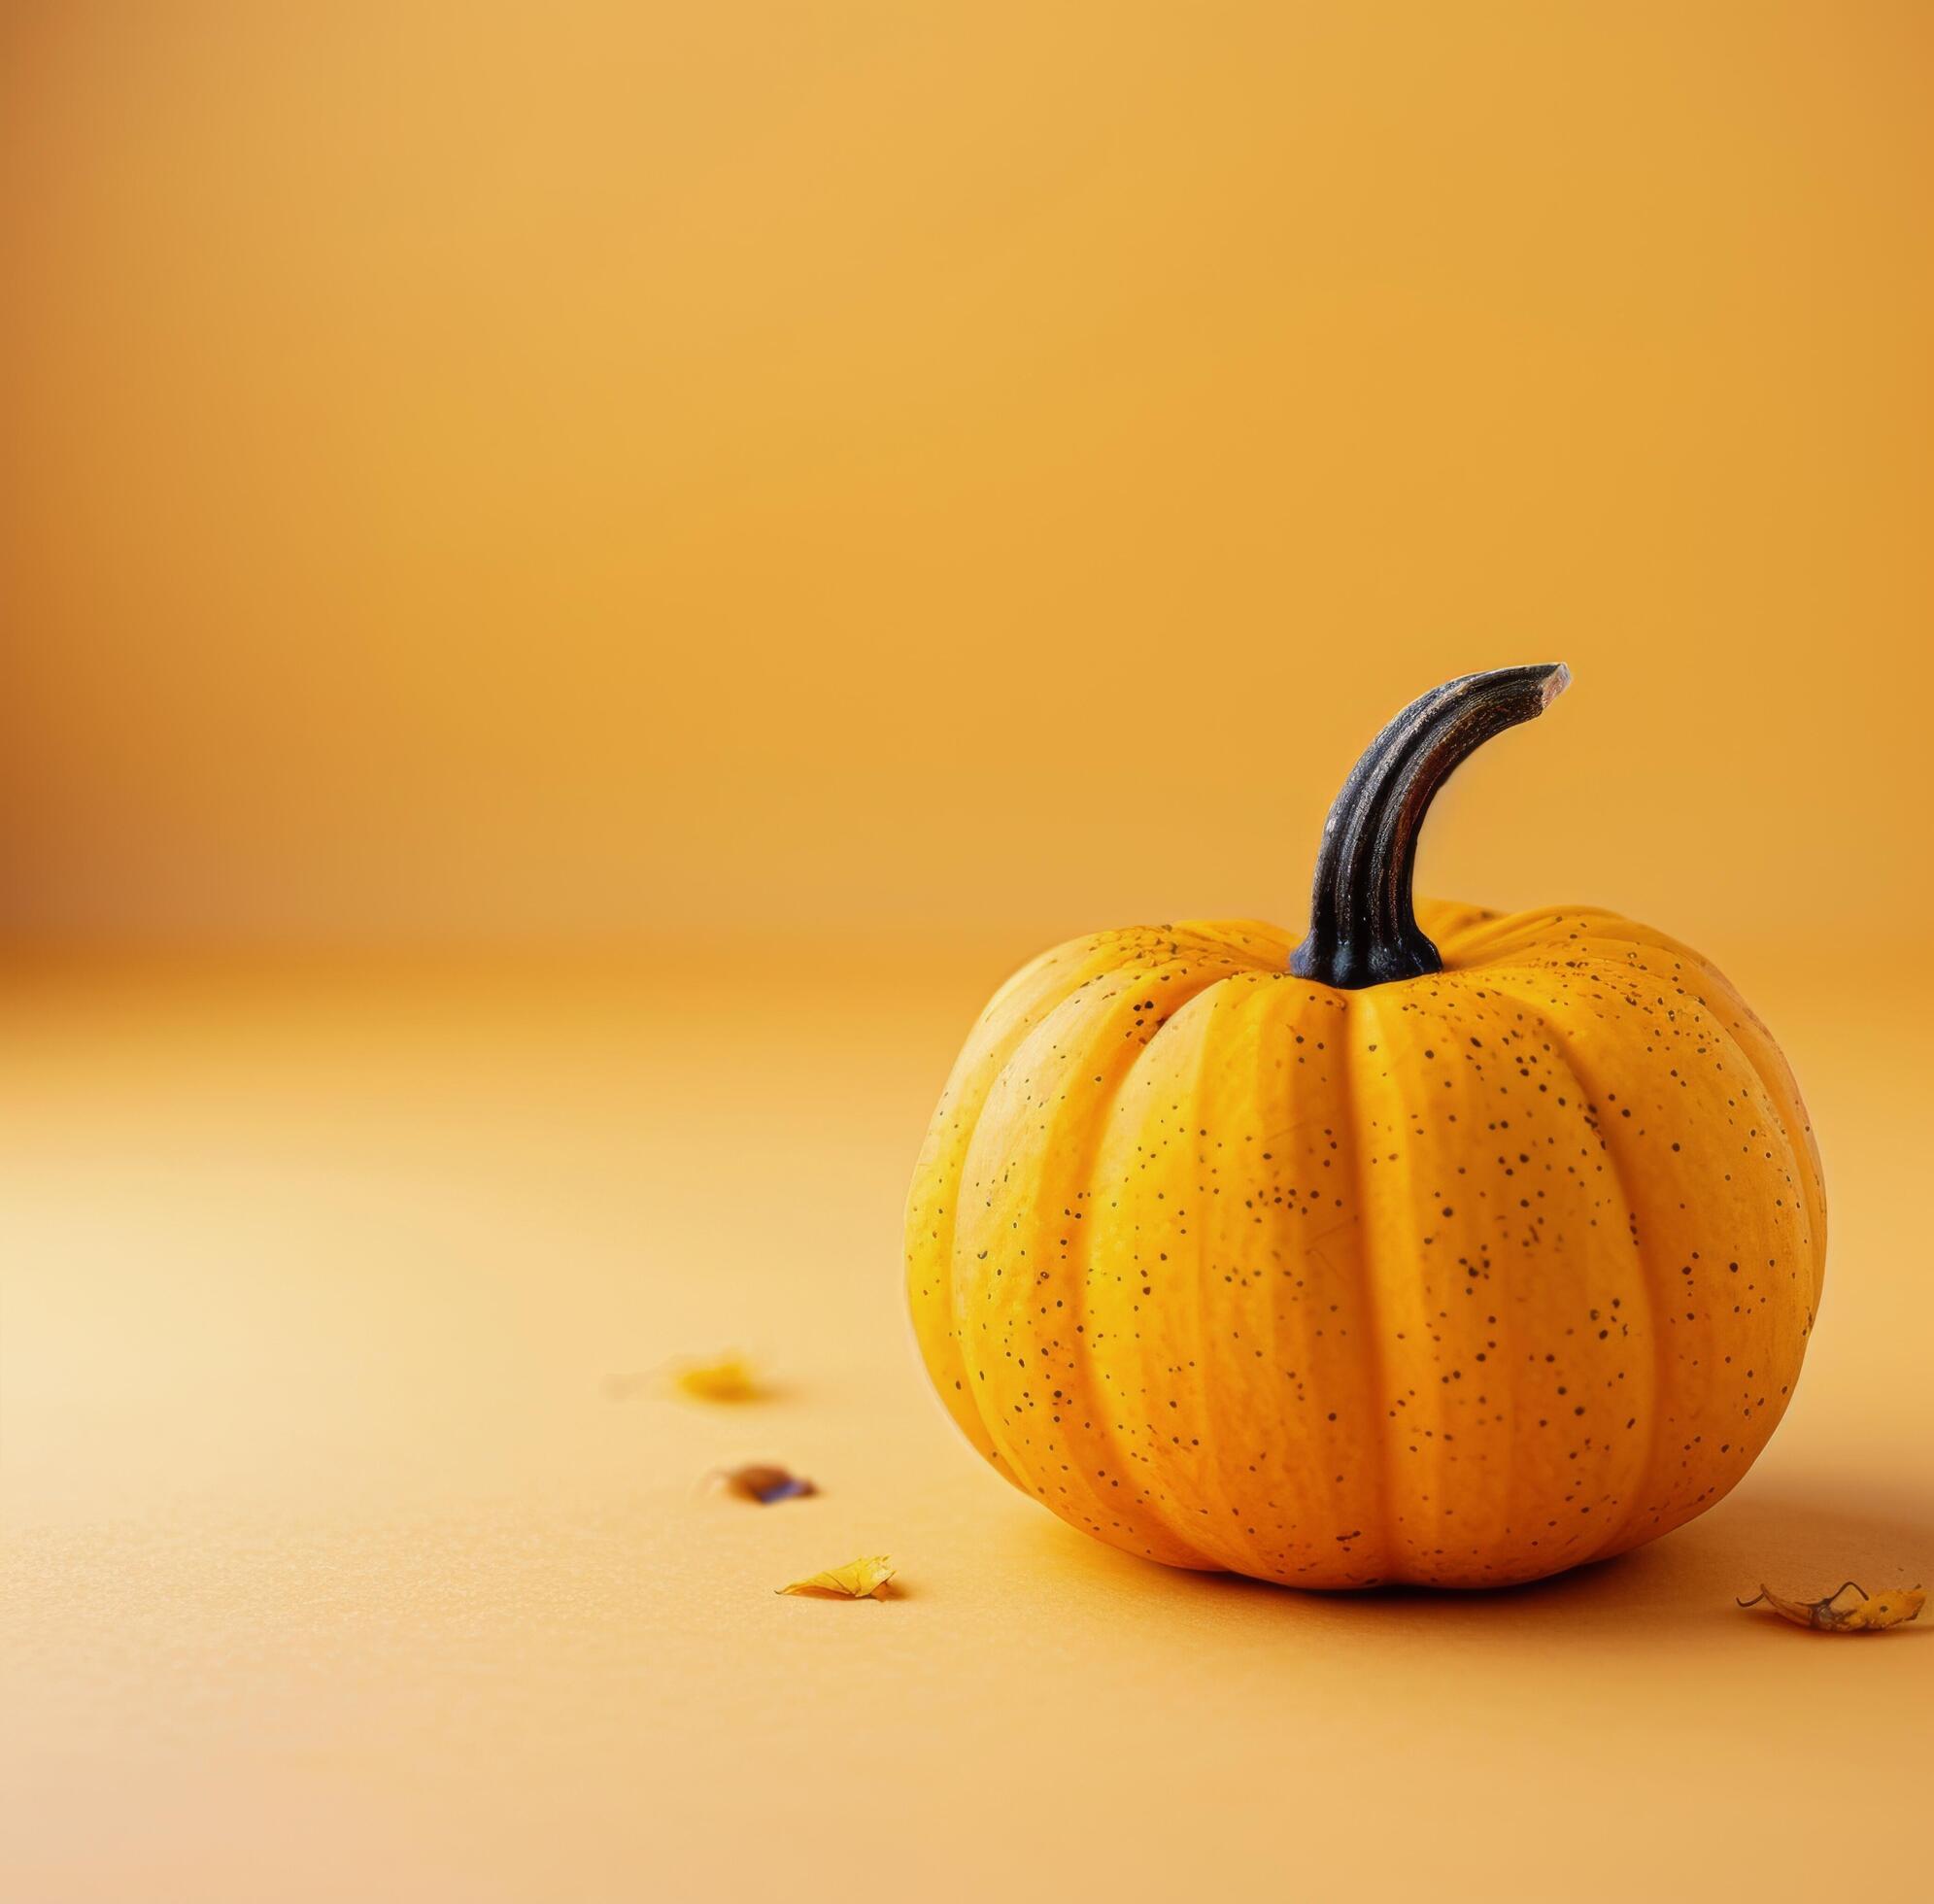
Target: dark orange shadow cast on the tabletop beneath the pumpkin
1803	1539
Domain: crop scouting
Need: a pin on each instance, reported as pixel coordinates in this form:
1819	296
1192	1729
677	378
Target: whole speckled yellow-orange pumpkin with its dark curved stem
1440	1247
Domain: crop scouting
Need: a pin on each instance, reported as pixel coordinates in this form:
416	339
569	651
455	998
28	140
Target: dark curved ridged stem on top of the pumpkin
1363	924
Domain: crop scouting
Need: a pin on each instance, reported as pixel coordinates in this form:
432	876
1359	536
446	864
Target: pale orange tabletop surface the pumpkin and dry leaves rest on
355	1545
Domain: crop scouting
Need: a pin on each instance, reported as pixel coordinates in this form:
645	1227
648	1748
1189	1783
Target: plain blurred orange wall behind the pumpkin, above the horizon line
606	471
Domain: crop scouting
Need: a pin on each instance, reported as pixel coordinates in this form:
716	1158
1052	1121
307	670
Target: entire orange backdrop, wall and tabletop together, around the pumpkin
577	585
